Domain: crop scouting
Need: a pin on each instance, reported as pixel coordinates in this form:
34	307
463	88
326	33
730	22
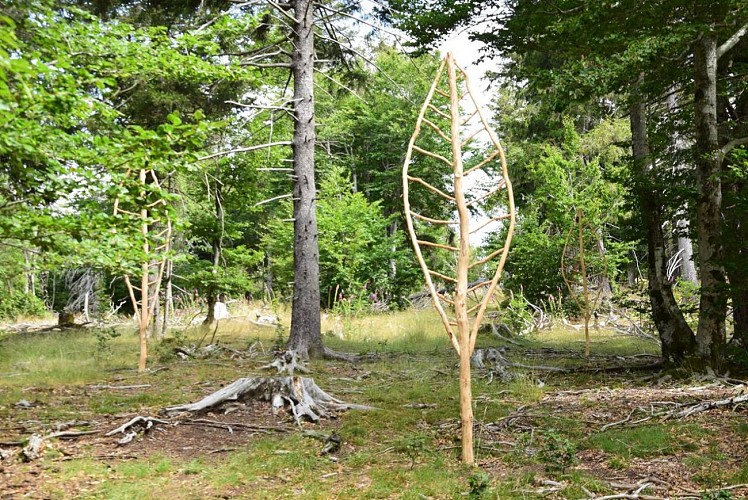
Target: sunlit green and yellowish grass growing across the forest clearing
408	448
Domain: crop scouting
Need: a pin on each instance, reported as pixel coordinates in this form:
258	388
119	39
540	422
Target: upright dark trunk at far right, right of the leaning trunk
710	334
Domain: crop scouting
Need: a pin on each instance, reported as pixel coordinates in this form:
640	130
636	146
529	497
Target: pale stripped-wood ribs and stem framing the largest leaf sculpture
463	327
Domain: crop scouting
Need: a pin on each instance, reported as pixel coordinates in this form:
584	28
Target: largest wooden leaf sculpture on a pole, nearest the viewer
467	201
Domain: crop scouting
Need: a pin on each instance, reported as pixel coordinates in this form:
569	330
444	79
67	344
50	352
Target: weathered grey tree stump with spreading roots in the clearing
301	394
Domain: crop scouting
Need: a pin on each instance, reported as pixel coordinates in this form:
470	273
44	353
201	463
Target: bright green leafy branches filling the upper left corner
73	137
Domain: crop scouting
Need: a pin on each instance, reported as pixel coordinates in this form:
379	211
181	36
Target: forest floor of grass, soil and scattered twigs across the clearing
608	427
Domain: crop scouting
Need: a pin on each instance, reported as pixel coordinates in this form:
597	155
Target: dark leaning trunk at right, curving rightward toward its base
676	336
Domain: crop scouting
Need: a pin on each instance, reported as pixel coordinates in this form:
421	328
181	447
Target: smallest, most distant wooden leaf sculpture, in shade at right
583	264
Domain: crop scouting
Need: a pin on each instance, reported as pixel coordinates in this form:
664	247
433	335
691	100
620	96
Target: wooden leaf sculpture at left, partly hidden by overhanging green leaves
151	211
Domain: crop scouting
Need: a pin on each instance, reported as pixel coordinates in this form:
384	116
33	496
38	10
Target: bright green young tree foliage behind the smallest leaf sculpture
557	179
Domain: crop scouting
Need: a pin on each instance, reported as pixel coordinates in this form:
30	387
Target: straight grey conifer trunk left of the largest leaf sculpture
306	337
